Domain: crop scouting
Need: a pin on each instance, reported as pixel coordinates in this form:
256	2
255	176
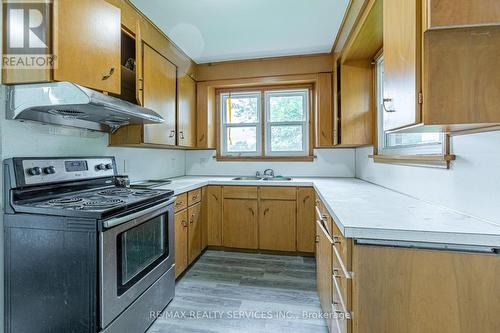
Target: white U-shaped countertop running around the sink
366	211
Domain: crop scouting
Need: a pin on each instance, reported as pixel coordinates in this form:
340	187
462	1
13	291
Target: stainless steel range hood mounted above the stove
68	104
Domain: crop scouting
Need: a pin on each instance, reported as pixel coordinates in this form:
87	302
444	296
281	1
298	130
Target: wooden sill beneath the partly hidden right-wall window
439	161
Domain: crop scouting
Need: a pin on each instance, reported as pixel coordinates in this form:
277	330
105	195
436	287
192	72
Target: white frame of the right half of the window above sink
304	123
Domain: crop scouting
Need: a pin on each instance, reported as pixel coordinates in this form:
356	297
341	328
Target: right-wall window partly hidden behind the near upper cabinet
402	143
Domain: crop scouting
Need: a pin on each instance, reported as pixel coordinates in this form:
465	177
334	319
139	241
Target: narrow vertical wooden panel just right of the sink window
324	111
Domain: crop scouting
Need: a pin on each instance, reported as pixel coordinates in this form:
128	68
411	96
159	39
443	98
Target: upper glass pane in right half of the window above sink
286	108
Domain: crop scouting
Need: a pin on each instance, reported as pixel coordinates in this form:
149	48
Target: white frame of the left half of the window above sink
225	125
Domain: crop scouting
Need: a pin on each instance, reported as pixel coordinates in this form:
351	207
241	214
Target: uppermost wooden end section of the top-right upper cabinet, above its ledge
466	13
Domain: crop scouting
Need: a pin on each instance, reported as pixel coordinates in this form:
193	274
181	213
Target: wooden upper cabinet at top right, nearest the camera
442	65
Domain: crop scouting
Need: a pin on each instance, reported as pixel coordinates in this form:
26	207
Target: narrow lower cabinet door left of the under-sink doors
214	215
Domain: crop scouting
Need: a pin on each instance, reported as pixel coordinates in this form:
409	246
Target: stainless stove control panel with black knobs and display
39	171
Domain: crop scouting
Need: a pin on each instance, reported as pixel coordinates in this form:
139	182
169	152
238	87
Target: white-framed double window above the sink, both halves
265	123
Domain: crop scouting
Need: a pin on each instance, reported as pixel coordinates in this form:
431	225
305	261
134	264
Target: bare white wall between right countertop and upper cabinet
472	185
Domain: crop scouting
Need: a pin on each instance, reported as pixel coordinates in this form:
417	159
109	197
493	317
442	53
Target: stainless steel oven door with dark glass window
135	250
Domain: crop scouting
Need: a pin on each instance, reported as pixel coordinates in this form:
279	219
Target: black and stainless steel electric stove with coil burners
83	254
